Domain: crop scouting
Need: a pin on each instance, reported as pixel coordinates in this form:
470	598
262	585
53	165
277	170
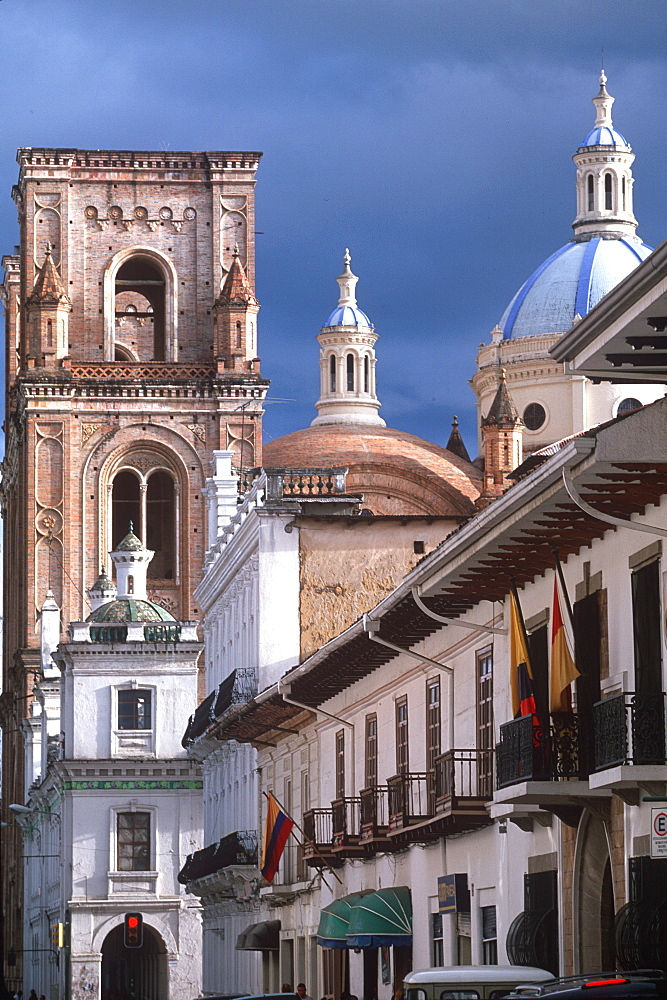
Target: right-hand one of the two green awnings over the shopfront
381	918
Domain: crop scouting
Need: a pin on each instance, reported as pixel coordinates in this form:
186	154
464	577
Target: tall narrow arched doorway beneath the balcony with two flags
594	898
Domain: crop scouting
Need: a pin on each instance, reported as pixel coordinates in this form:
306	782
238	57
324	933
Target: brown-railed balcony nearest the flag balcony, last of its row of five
463	786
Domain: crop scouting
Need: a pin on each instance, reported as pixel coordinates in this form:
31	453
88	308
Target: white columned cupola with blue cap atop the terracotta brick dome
347	361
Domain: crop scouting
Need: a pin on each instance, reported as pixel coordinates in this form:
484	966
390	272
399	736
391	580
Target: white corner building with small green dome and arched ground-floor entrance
113	801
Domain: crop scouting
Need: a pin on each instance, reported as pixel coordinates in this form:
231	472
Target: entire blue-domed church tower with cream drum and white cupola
552	402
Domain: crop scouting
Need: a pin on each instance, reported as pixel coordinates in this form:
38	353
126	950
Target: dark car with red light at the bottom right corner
622	985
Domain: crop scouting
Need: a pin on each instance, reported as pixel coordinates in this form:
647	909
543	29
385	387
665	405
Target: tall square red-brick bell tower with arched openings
130	356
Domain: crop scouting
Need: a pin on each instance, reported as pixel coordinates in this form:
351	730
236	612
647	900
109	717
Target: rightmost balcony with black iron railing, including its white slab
630	744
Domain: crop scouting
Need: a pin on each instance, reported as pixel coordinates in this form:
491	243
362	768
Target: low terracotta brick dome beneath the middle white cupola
397	473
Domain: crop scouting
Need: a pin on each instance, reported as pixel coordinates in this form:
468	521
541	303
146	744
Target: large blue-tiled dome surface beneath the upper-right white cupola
570	282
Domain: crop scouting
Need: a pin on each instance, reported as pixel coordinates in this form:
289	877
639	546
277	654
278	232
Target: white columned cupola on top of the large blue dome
604	176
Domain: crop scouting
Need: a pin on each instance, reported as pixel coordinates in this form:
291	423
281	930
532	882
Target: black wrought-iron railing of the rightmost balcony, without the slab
629	729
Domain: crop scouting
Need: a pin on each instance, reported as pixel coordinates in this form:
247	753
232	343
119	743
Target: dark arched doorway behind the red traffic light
134	973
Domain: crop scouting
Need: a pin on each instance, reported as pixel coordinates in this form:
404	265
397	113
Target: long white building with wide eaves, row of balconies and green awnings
397	749
